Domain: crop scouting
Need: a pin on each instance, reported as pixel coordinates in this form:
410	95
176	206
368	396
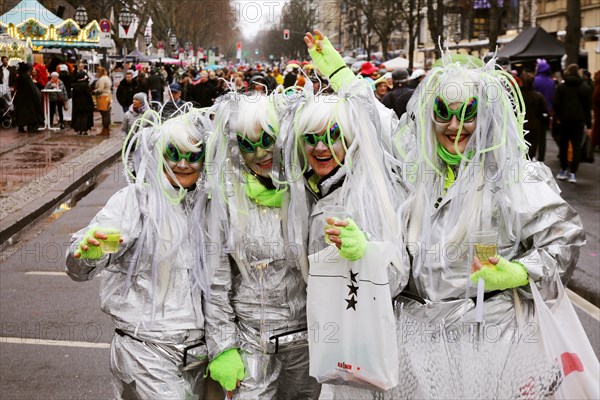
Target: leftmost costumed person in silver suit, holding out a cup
152	286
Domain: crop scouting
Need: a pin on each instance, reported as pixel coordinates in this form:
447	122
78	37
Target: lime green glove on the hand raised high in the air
328	61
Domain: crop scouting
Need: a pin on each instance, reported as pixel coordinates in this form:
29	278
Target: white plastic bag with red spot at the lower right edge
565	340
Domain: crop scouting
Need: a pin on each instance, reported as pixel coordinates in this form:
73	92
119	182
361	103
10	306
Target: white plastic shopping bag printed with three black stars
352	329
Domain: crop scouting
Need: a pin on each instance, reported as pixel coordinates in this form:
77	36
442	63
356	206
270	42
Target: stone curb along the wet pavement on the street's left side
39	208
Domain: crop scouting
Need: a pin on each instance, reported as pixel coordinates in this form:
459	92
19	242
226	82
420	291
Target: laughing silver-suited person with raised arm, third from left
337	152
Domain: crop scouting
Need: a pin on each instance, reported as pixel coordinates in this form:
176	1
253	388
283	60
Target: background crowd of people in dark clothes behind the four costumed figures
565	112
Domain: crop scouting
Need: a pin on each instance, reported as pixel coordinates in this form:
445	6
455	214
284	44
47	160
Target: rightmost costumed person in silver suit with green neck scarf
463	149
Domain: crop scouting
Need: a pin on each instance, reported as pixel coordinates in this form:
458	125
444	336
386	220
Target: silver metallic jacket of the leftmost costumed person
178	317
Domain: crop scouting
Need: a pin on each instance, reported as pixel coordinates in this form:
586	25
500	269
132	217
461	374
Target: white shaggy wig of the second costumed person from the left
236	114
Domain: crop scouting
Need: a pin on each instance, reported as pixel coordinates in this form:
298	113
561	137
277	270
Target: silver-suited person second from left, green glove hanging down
256	309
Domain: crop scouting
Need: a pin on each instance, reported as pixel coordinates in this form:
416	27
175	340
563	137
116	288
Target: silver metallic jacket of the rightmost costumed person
551	236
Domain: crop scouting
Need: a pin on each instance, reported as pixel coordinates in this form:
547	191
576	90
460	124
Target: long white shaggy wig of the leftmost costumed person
165	209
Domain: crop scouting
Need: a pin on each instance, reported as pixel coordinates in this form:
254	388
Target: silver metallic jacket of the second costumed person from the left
257	290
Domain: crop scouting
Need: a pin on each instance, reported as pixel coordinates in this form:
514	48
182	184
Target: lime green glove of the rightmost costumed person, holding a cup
504	275
